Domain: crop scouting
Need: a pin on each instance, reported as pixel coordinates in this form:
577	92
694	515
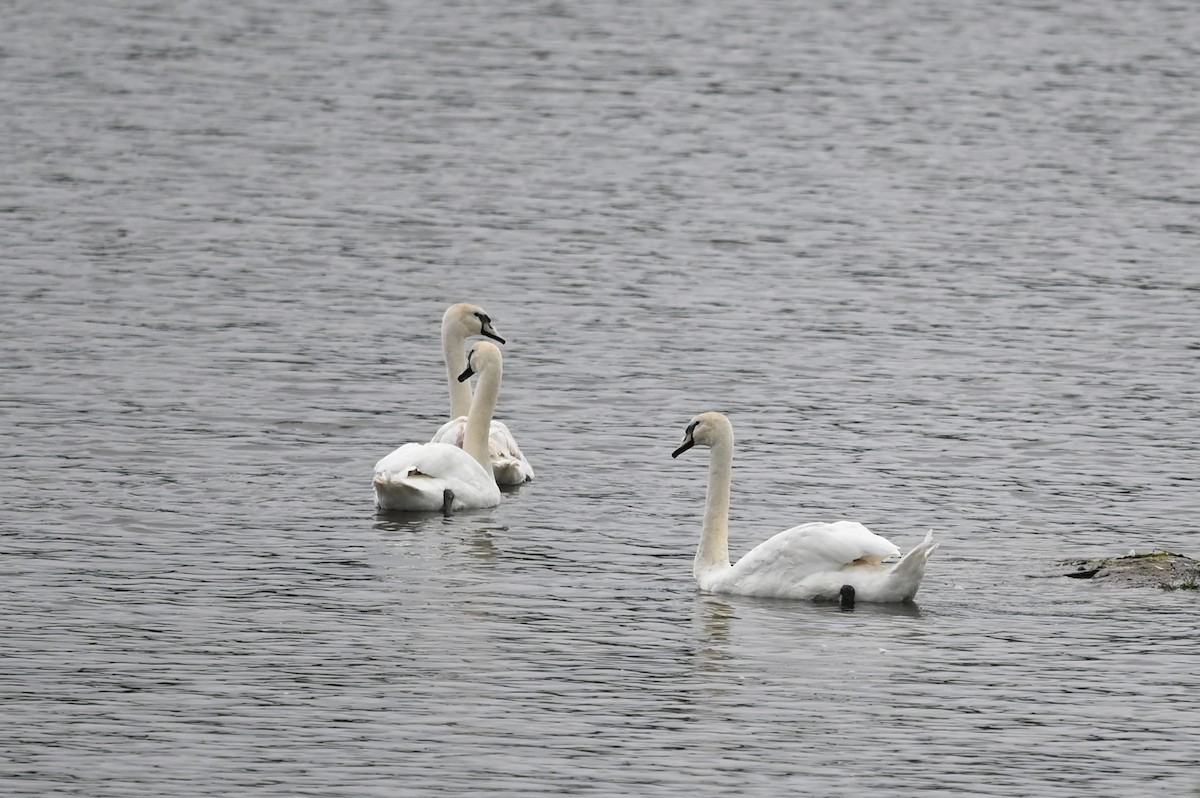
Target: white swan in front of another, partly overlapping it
429	477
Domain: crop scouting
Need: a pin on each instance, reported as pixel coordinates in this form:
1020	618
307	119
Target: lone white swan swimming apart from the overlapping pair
813	561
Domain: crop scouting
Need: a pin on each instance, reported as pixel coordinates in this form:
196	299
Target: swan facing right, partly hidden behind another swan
460	322
